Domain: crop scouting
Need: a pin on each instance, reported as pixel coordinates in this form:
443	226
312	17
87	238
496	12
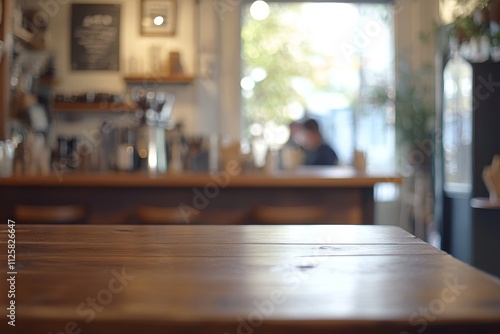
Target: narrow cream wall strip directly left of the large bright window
219	67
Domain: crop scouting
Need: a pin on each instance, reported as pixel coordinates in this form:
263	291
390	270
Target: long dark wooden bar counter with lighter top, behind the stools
113	198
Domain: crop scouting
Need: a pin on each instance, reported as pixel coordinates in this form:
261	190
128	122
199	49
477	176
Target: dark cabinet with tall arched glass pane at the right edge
469	138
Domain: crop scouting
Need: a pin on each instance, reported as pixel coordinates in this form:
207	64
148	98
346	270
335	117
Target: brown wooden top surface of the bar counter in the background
307	177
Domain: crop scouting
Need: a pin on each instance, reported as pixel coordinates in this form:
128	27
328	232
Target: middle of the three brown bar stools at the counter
164	215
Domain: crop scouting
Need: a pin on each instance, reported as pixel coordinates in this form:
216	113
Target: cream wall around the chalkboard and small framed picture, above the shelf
132	44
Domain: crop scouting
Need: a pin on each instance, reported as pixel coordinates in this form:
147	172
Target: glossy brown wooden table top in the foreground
242	279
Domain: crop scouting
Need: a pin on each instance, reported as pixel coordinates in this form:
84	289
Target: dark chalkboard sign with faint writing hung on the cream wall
95	37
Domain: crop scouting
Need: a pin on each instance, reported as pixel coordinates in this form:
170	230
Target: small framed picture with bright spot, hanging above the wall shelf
158	17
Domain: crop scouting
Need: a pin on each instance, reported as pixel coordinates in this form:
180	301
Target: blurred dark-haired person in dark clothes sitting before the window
318	153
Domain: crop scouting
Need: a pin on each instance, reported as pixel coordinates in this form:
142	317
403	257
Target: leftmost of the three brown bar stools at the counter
50	214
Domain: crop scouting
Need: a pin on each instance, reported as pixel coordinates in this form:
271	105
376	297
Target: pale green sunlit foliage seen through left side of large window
264	48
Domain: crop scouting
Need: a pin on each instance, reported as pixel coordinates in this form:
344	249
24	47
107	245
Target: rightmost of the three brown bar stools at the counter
290	214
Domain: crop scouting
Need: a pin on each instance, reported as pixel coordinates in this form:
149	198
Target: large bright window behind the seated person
322	60
